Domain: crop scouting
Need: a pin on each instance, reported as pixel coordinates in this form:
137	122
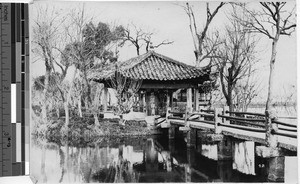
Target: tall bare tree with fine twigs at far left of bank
51	38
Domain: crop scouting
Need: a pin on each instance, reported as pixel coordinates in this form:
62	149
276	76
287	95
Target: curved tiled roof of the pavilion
152	66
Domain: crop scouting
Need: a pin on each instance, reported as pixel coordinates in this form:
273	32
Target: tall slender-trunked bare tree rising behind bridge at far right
273	20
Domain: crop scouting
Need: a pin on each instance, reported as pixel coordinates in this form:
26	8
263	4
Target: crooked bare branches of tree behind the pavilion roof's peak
140	38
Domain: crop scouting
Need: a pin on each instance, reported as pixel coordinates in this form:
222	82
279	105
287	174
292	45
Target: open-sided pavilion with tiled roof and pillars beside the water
162	78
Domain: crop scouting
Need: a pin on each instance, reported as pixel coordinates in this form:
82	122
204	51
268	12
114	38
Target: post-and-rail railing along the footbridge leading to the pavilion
218	118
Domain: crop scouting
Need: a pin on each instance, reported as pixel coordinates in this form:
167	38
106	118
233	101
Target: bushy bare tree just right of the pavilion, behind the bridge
235	56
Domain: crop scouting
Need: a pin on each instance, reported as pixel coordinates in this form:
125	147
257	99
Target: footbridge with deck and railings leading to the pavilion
241	125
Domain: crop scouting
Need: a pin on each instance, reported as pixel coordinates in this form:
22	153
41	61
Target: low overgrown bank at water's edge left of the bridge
83	131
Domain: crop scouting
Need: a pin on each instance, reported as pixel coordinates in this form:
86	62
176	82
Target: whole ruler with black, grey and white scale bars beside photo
14	82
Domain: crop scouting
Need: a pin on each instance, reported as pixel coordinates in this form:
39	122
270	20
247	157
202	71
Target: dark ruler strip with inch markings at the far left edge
6	133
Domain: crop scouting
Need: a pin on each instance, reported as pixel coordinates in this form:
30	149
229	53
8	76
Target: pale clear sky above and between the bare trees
169	21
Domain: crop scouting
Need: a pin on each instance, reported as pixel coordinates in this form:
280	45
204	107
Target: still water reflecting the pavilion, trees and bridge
156	159
